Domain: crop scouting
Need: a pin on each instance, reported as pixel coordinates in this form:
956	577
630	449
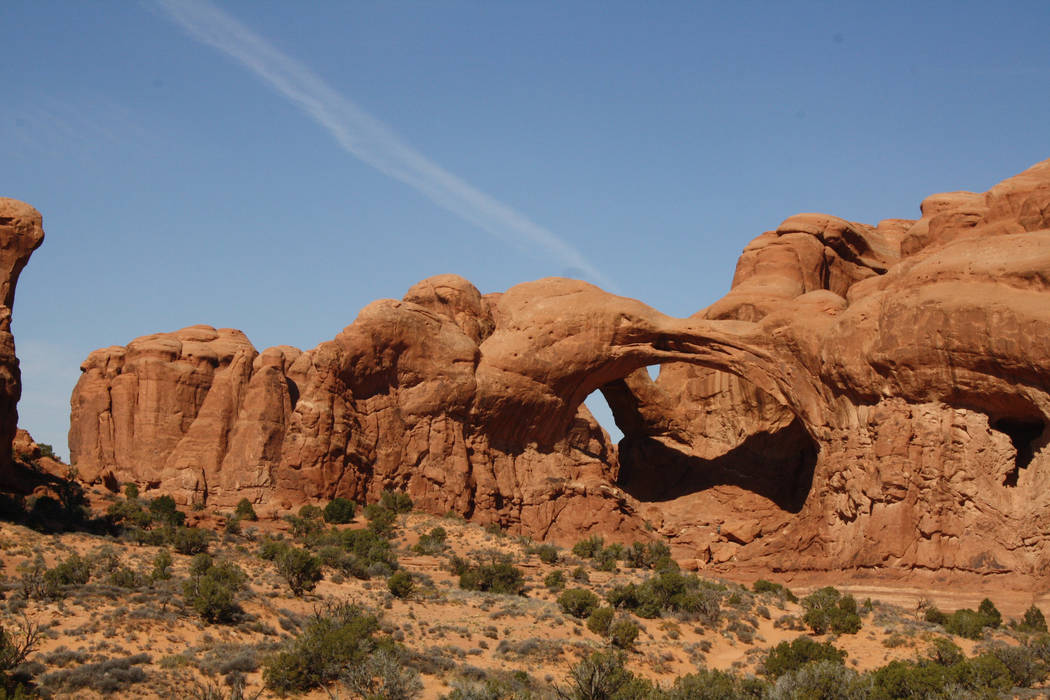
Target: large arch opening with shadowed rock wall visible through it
720	432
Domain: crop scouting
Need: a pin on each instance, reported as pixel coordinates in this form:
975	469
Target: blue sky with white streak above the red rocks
276	166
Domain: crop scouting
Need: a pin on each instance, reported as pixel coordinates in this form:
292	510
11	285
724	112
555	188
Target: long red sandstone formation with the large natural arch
873	398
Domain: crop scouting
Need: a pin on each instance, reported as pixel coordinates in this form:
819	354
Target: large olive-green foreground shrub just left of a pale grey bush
339	639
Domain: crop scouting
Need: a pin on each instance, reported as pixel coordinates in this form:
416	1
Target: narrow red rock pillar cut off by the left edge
20	235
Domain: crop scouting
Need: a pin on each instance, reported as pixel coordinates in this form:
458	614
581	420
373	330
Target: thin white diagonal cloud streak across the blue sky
364	136
